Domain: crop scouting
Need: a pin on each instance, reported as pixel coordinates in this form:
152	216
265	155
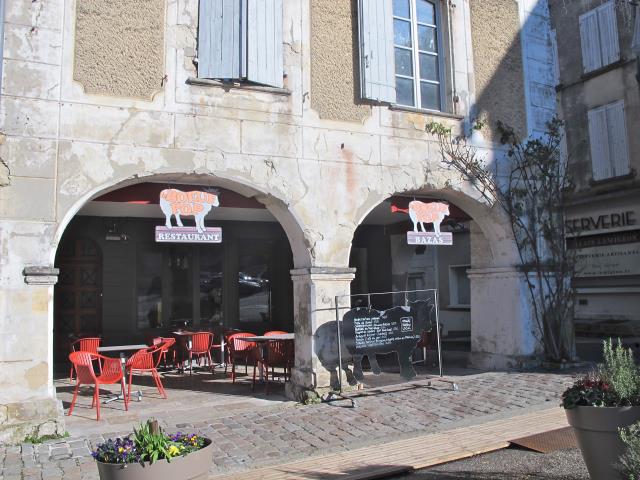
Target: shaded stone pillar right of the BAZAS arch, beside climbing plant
503	330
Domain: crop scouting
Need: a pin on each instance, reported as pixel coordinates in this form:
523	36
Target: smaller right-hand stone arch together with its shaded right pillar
503	334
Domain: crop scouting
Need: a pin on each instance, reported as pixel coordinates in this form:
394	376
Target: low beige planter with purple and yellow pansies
148	453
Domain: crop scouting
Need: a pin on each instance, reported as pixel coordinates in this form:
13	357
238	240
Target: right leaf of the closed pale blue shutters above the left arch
264	42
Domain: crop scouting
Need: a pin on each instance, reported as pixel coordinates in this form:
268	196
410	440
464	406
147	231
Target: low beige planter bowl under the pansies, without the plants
193	466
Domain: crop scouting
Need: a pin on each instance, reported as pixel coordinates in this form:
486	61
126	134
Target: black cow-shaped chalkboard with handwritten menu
367	331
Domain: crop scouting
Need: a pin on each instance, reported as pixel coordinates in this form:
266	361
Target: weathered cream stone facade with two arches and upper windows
100	96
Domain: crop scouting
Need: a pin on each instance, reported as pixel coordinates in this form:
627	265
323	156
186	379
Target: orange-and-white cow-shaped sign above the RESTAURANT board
198	204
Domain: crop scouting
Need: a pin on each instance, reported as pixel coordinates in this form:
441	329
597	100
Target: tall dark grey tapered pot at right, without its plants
596	430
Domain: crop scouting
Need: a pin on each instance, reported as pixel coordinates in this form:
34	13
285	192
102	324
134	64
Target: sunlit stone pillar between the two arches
314	292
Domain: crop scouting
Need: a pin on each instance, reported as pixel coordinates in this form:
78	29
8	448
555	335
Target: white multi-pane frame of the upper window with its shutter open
415	51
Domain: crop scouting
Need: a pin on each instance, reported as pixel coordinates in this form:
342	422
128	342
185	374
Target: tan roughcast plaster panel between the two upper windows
334	61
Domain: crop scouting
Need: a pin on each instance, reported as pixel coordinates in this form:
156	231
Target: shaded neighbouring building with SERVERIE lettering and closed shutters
599	101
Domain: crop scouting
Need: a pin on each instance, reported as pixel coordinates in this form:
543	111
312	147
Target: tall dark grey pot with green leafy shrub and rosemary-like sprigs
601	403
